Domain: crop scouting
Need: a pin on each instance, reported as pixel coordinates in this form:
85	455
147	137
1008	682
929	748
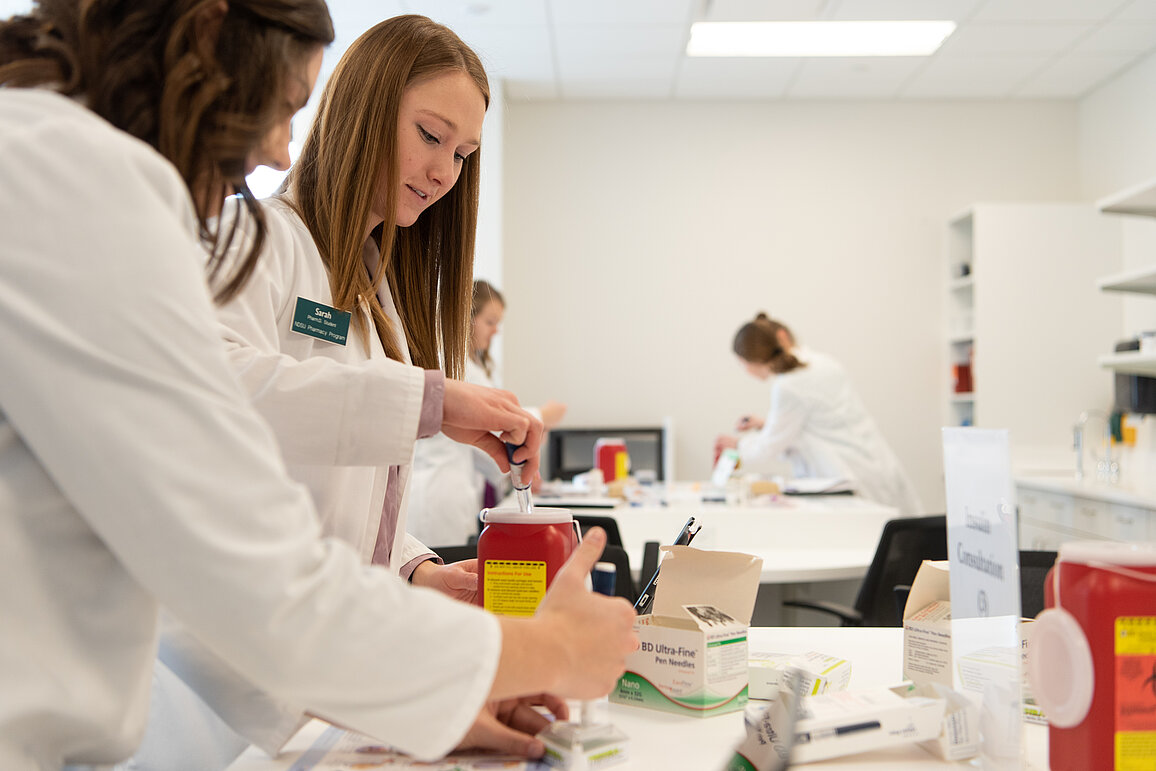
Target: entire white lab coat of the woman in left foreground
135	472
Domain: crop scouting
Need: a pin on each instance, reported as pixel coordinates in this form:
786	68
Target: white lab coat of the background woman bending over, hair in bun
819	424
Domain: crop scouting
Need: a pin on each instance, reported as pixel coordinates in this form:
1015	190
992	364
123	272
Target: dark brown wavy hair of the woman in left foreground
203	102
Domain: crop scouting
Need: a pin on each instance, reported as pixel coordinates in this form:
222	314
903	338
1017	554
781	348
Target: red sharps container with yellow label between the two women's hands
520	554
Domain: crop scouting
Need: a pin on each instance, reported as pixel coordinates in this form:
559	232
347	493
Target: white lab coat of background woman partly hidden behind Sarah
448	483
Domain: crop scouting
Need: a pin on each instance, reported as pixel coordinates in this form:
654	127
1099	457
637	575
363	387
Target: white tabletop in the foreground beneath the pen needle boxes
662	740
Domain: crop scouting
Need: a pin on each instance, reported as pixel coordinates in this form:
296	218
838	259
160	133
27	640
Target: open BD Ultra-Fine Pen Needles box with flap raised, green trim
693	649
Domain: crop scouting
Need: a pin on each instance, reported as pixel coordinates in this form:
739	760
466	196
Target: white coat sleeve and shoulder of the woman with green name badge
323	411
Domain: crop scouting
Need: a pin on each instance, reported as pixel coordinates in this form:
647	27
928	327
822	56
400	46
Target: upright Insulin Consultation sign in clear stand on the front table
984	557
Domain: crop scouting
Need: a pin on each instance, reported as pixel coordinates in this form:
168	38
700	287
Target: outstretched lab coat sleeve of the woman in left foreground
117	383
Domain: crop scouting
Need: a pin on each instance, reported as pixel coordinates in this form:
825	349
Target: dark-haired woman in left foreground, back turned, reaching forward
135	472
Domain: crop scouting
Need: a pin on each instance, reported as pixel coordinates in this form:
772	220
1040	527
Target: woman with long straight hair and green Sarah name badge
376	232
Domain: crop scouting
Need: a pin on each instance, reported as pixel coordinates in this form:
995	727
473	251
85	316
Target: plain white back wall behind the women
639	238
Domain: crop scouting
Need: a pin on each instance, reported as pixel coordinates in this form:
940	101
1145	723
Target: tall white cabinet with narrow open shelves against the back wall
1027	316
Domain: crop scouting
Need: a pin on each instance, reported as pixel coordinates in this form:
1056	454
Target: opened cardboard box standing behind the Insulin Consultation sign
928	641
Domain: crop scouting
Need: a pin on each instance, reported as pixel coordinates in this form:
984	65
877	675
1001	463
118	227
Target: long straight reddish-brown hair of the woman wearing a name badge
351	147
